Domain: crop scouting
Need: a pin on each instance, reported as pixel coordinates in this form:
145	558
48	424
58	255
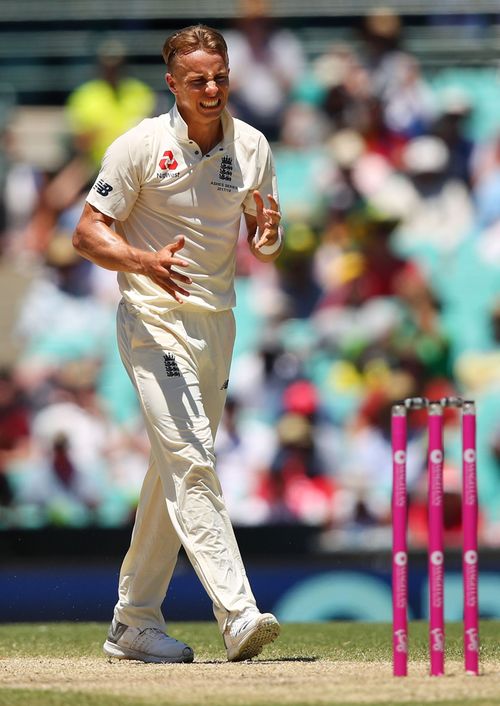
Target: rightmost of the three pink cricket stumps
470	553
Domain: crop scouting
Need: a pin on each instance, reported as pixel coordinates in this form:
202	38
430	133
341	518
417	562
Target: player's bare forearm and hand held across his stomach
96	240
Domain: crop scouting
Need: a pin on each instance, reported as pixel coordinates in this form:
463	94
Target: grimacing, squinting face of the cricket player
200	83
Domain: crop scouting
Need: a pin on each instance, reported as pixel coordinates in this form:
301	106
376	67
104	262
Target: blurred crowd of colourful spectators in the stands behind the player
388	287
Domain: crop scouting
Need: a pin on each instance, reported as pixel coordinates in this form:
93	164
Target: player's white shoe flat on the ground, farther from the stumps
146	645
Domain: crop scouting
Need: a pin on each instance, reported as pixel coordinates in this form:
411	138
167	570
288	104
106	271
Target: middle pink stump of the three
436	544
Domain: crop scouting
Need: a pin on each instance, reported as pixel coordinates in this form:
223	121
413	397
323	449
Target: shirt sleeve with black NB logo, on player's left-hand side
118	183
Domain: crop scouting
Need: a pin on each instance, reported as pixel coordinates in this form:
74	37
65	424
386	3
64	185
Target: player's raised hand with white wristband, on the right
265	236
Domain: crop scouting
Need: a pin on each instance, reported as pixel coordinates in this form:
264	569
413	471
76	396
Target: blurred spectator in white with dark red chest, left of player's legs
68	476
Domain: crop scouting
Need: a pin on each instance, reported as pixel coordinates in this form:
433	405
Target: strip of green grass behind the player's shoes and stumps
333	641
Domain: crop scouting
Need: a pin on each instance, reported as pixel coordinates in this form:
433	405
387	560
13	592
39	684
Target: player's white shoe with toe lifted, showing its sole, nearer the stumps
247	634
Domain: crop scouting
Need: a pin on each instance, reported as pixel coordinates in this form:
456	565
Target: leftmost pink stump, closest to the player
399	544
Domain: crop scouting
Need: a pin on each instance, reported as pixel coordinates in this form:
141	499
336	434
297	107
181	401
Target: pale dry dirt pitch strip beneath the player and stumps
250	683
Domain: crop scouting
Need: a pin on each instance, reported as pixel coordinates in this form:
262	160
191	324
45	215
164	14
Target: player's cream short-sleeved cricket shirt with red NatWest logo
156	184
